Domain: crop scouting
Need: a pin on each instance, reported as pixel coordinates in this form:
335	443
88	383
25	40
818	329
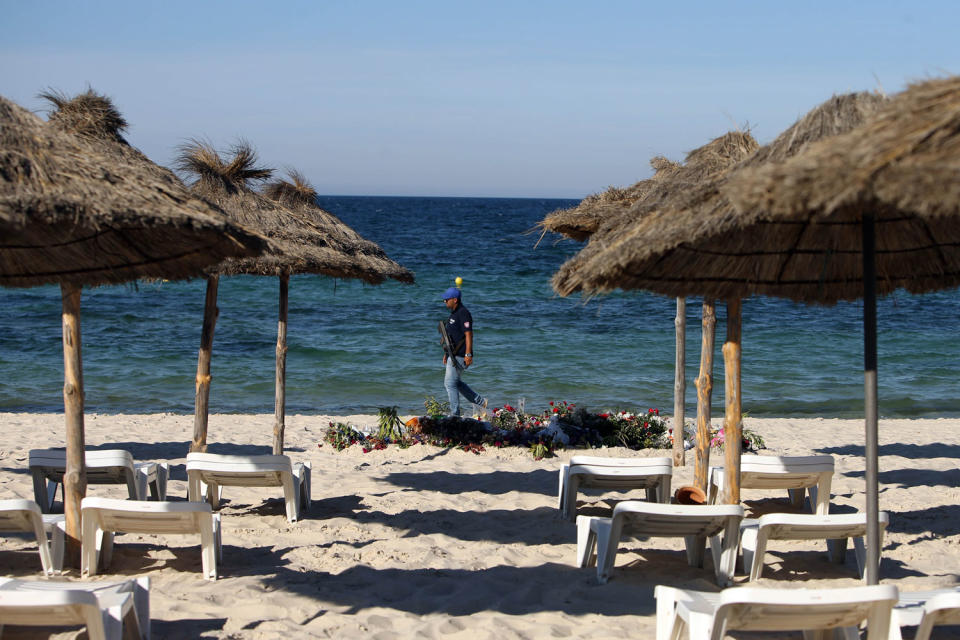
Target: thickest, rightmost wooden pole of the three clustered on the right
732	423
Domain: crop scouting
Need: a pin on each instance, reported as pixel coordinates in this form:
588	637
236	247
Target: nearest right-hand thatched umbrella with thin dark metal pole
867	212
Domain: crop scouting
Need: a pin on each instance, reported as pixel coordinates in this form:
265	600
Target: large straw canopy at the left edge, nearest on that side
72	213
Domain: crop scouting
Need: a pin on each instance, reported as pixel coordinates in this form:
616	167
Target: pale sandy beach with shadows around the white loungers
433	543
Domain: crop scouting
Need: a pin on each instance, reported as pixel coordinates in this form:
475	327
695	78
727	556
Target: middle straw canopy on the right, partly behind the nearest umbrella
673	251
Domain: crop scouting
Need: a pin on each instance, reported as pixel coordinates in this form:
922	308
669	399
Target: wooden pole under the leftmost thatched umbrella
75	475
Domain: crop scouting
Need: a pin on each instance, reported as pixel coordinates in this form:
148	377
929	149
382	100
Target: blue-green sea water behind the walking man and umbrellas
355	347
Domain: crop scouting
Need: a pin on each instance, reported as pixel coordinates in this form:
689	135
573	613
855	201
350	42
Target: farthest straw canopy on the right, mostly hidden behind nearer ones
615	234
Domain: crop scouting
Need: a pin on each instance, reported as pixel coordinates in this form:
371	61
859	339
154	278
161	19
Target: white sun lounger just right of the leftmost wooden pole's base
102	517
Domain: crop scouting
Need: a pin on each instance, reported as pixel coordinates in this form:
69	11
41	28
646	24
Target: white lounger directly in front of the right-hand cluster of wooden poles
694	523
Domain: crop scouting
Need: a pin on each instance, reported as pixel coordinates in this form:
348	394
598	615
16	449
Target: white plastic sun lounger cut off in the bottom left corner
106	609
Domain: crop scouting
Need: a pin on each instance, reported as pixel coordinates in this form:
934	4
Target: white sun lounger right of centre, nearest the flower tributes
613	474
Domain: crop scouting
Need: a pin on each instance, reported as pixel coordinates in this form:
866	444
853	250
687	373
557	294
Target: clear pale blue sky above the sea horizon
444	98
